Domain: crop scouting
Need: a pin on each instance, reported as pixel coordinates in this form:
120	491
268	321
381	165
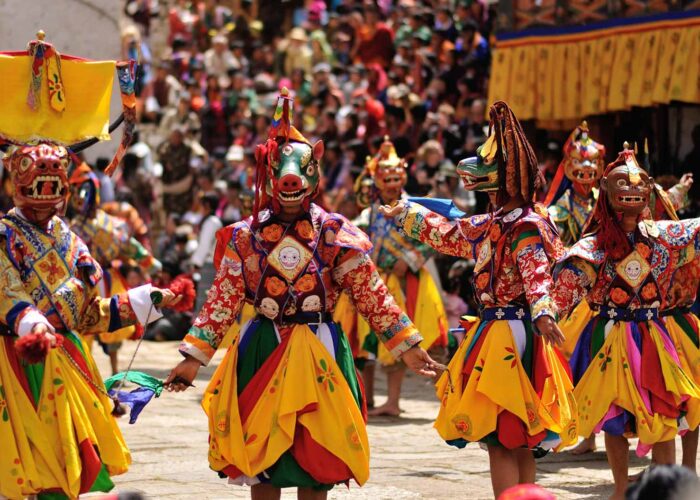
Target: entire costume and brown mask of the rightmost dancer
629	379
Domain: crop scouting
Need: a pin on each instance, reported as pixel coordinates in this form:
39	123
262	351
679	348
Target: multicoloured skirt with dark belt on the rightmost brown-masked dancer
629	379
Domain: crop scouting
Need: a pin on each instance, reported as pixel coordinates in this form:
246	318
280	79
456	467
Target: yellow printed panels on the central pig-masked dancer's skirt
306	376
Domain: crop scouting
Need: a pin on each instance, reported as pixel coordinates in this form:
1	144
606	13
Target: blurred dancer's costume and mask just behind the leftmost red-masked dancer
108	238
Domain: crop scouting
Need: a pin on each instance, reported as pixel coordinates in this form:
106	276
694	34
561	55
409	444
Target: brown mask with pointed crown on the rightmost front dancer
627	185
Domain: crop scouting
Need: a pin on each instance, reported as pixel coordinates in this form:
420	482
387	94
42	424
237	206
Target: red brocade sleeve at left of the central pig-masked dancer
224	300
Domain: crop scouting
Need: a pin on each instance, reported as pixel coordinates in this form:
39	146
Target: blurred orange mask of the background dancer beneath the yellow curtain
583	160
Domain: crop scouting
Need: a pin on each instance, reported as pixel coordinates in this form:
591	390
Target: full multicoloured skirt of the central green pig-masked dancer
285	407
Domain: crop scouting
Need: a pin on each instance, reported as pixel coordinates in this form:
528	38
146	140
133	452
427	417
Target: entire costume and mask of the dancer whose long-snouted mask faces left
505	385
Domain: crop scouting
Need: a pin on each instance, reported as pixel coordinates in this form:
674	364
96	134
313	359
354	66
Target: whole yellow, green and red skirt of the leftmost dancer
57	433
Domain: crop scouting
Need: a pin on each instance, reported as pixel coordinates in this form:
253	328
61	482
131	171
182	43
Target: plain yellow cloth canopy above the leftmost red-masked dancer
88	89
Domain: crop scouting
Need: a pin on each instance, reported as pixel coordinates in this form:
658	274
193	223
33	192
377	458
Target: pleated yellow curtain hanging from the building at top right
565	77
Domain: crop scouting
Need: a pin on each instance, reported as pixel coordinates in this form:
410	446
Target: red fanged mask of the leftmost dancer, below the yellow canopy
39	176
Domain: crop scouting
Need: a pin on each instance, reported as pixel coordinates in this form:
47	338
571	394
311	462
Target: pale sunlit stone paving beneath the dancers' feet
169	448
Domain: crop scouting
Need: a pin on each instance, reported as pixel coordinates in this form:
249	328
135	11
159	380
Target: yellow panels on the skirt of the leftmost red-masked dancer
41	446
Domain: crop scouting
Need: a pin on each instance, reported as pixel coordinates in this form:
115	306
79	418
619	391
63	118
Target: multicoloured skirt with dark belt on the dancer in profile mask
507	387
